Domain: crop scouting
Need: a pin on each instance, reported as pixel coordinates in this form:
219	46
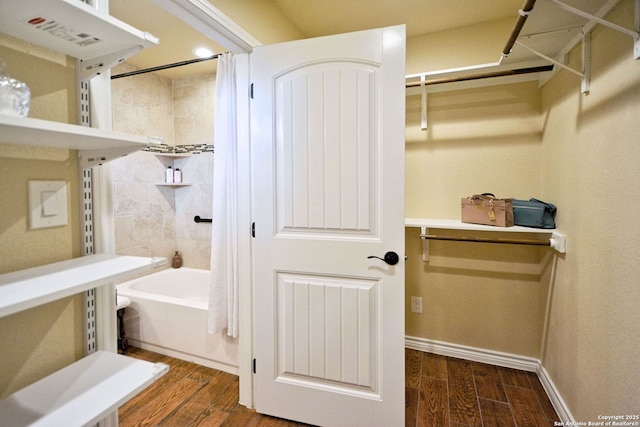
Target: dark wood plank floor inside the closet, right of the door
445	391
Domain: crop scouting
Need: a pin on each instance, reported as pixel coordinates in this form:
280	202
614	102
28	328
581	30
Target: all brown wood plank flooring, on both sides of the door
440	391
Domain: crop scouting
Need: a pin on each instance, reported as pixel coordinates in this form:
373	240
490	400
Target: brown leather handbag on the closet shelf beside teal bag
486	209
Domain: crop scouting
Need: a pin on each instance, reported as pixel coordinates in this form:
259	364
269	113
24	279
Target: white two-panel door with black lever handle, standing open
327	131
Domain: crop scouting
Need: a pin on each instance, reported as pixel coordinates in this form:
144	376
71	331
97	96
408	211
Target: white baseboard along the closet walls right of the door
497	358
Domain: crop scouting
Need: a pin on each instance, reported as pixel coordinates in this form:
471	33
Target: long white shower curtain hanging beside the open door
223	291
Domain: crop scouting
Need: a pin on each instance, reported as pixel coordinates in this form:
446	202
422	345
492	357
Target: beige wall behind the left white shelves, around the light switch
39	341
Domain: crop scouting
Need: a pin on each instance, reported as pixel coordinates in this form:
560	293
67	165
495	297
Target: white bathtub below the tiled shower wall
168	315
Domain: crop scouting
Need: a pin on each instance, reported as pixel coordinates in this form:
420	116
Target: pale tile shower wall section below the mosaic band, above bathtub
154	220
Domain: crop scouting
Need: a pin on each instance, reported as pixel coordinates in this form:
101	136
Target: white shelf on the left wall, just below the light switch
24	289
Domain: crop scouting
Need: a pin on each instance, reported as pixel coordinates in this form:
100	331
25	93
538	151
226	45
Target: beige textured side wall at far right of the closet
592	152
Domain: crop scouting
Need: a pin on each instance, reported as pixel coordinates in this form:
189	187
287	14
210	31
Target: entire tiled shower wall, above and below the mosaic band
151	219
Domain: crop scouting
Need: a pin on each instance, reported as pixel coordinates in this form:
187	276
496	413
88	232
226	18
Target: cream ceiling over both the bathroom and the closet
311	17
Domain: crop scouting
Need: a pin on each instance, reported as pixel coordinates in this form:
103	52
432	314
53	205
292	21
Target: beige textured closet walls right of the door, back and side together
578	151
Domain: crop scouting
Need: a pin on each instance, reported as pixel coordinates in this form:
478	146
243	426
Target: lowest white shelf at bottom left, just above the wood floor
82	393
